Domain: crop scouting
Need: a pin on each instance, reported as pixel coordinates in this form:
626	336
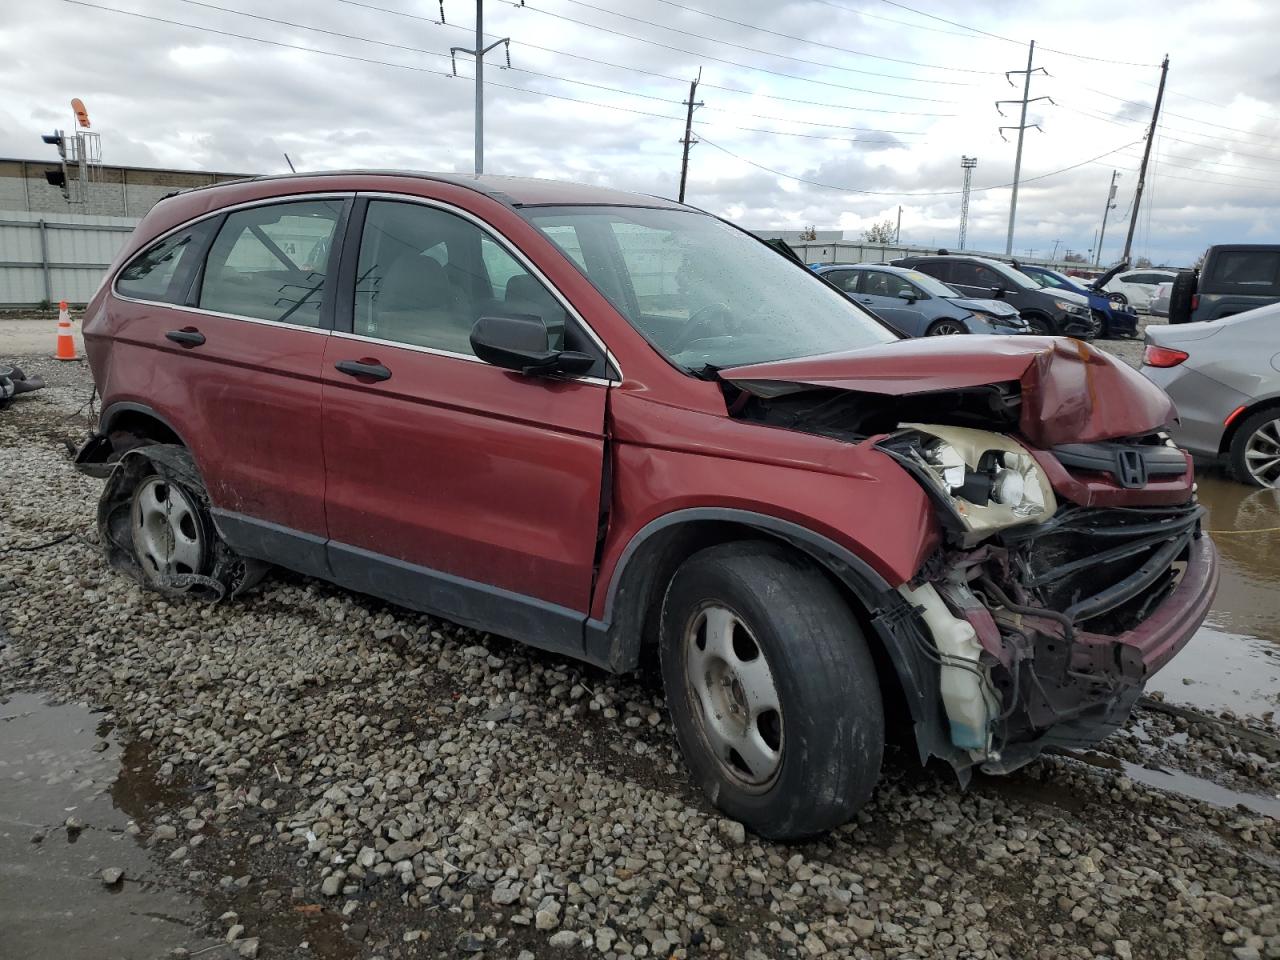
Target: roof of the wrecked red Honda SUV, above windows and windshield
513	191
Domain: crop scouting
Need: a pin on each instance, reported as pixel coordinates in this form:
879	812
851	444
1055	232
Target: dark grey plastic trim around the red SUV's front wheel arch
615	642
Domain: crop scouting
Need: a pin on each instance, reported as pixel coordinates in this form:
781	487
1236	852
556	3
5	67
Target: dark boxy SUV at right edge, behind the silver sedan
1235	278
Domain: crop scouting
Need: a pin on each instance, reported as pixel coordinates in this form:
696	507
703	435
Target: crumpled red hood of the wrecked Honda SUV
1072	392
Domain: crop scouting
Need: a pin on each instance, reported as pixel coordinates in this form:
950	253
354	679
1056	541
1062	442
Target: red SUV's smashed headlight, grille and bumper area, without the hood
1064	610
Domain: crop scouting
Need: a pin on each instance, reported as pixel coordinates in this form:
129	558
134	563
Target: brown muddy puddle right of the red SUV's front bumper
1235	662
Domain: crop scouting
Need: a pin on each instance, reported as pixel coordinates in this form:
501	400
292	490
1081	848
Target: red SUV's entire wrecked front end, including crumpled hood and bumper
1072	564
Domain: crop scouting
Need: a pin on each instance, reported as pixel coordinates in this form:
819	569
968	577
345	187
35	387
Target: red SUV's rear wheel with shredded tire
184	557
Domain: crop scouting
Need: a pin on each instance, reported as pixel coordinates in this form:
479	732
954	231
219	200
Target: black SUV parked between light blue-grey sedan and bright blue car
1045	310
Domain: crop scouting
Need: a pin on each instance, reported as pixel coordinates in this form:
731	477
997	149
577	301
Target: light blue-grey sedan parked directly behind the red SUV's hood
918	305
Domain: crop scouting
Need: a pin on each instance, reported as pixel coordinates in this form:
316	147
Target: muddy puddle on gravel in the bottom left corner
60	764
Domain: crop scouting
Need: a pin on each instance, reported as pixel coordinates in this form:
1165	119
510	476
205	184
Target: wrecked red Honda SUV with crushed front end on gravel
611	426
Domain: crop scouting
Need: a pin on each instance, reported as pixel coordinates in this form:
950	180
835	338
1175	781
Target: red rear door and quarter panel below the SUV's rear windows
248	403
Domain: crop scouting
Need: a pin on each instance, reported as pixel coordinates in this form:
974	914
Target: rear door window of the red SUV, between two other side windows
271	262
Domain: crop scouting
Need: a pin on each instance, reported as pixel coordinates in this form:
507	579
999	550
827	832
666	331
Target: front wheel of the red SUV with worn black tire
830	724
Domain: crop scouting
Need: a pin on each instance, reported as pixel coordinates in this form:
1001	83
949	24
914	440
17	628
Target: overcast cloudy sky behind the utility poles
860	95
